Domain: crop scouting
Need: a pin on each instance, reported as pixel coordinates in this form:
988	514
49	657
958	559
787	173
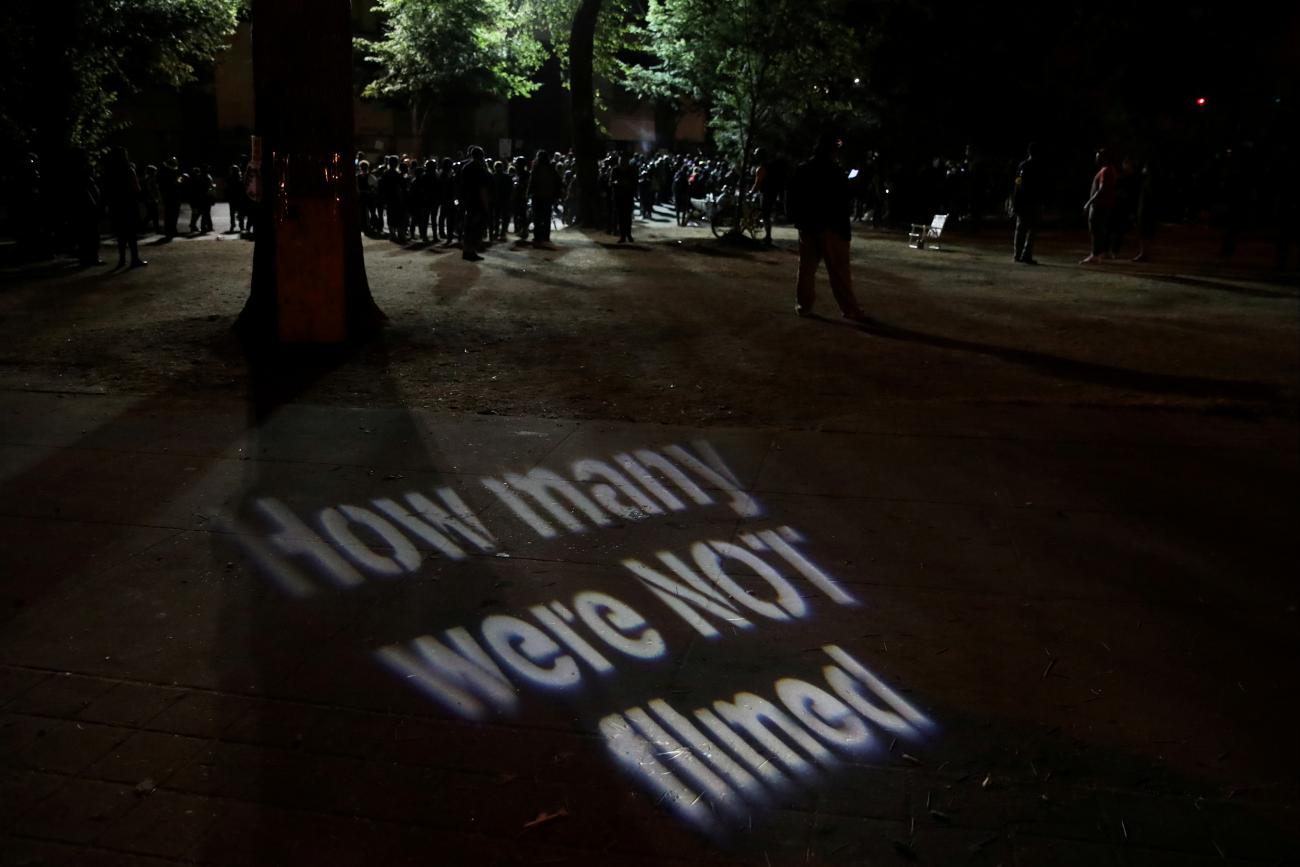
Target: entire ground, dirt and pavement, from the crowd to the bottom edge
1065	497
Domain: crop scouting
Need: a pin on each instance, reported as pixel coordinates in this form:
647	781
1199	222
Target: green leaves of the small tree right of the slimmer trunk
765	70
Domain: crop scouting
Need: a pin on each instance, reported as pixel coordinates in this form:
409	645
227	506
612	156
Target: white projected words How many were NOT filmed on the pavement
705	762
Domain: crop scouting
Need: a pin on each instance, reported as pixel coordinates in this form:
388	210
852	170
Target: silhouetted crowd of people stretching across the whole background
465	196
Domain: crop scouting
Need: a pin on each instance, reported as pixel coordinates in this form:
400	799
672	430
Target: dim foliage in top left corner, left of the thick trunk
66	63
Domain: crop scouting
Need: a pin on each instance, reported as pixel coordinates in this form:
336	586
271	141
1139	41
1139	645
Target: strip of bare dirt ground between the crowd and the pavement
681	328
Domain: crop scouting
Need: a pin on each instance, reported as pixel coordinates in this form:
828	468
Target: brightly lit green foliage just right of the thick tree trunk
450	49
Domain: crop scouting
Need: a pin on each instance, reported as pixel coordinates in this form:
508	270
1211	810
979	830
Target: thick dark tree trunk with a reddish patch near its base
309	274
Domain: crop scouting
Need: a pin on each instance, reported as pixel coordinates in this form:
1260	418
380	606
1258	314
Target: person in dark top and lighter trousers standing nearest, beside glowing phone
821	202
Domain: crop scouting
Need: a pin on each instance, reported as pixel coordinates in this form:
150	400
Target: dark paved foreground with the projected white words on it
320	636
